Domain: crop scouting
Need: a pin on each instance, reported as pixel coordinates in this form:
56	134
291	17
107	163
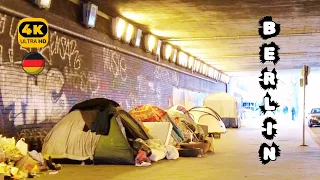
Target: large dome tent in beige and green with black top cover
96	129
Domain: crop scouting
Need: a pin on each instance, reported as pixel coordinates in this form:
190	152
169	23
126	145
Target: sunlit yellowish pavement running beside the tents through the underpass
236	157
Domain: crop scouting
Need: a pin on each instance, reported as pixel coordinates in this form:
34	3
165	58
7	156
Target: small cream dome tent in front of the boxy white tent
208	117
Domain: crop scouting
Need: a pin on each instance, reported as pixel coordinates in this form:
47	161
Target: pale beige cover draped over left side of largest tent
68	140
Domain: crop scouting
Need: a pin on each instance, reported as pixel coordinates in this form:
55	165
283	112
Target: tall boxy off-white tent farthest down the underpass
225	105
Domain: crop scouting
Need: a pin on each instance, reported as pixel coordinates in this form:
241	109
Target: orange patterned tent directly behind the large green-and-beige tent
151	113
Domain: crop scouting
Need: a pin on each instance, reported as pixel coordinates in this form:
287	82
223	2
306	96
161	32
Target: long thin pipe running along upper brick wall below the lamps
74	34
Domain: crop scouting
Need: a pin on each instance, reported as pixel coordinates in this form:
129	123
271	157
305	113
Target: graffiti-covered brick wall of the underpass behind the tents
76	70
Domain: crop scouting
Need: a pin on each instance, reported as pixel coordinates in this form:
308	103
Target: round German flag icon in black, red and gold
33	63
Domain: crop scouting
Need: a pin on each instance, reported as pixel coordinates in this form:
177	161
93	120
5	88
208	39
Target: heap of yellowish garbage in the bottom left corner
16	162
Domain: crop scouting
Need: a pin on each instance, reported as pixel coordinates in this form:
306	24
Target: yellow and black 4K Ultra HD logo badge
33	33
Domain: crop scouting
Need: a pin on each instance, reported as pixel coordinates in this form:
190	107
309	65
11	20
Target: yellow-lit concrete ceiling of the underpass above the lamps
225	33
